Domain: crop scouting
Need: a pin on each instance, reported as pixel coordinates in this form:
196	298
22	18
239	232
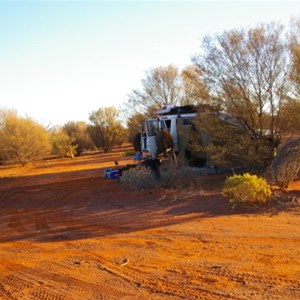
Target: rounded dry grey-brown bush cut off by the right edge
286	165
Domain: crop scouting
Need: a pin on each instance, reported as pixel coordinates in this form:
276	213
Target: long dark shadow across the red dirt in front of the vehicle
95	207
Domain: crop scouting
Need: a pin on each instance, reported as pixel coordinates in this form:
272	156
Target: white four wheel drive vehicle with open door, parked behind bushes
177	130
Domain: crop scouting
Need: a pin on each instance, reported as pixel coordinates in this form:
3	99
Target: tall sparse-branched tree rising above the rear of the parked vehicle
246	70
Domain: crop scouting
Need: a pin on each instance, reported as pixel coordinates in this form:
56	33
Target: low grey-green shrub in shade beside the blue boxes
139	177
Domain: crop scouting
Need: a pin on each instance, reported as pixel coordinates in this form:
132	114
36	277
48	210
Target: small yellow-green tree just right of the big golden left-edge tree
62	144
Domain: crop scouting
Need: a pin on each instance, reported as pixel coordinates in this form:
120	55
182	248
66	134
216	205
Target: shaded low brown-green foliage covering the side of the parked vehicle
226	142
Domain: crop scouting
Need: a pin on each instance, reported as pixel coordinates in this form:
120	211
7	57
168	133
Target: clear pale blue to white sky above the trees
59	60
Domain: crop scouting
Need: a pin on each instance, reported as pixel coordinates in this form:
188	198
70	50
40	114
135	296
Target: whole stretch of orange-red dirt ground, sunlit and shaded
68	233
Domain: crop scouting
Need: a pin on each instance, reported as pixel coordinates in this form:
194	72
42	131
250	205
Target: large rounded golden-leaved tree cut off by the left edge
22	139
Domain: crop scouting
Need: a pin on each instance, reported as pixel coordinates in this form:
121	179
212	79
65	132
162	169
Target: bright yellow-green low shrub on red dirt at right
246	188
